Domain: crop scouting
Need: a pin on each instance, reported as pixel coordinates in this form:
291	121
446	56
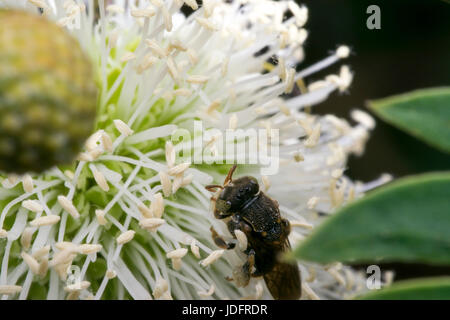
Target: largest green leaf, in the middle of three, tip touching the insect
405	221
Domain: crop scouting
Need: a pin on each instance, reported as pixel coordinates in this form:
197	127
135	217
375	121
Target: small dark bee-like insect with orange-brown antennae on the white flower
258	216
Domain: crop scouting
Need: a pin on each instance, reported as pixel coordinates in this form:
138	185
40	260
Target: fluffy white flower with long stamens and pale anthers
114	225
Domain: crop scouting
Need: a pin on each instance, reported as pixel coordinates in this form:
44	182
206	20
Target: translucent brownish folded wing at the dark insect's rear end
283	281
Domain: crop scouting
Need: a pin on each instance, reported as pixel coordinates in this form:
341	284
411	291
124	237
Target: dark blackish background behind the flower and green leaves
411	51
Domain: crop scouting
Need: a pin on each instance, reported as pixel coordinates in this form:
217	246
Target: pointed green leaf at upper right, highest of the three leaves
424	114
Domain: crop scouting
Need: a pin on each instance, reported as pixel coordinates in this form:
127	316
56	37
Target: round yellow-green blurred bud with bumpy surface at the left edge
47	94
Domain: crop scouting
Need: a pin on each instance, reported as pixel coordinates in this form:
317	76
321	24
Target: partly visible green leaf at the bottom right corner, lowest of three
418	289
